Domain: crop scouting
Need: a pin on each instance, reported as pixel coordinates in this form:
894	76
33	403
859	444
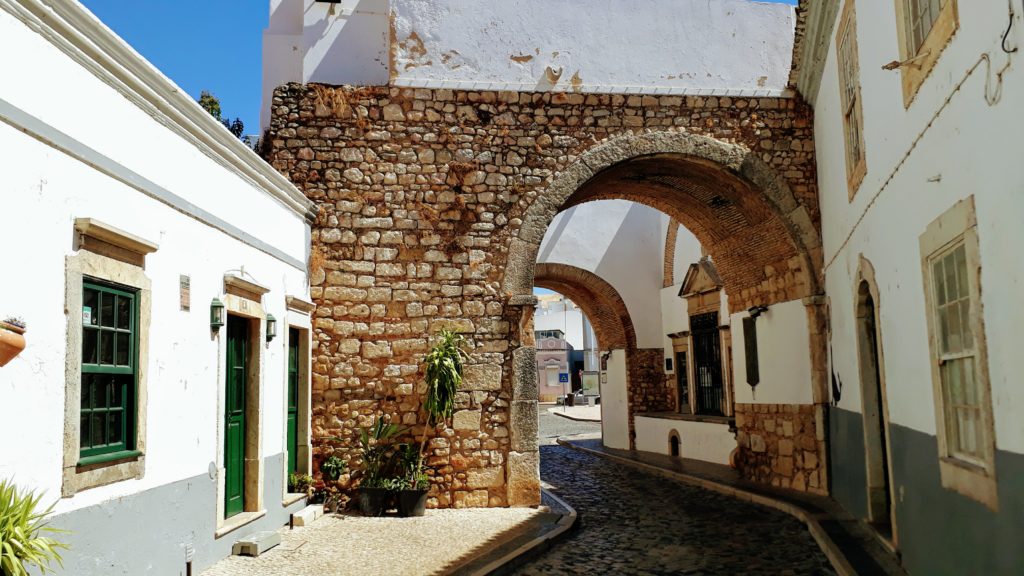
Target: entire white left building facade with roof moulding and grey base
124	179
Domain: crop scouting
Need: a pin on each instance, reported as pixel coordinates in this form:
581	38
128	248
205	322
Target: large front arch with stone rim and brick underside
721	192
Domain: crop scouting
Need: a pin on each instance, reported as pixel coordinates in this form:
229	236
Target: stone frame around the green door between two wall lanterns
243	299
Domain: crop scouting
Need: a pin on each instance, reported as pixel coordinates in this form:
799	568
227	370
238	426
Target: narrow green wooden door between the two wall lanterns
235	417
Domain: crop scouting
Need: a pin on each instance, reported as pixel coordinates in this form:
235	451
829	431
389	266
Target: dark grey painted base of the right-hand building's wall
941	531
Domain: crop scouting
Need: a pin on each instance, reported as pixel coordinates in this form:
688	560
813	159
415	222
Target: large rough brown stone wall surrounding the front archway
421	192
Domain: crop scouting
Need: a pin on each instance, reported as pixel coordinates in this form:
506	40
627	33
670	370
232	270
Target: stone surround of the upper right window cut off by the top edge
917	65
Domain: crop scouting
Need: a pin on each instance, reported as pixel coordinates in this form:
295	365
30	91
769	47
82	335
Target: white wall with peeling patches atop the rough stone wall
654	47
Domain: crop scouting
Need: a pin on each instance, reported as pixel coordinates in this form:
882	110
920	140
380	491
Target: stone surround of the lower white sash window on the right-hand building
960	224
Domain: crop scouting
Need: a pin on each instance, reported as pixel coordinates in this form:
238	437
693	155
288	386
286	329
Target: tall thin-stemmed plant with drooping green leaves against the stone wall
444	366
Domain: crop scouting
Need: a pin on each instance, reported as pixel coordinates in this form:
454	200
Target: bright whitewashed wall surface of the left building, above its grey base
45	190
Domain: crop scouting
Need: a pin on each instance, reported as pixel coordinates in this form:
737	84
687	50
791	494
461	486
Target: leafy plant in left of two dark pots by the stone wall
376	483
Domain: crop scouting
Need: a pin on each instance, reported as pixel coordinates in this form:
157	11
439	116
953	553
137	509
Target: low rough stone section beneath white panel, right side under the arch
781	444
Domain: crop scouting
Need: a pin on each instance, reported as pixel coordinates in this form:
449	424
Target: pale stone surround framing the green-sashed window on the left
104	253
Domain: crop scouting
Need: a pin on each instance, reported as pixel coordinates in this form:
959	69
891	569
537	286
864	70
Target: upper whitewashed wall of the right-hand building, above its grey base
967	151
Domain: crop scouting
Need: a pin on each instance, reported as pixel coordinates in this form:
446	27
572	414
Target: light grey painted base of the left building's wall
147	533
